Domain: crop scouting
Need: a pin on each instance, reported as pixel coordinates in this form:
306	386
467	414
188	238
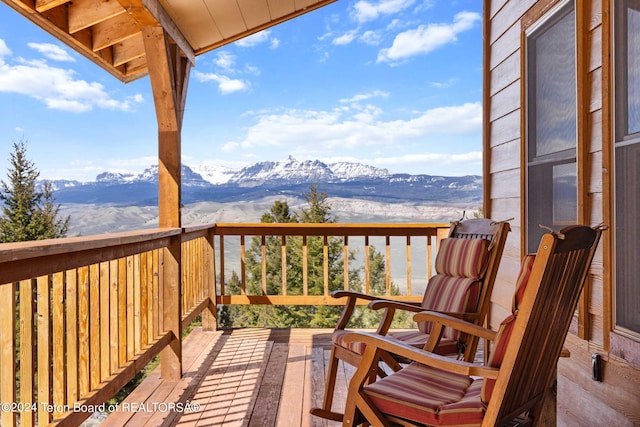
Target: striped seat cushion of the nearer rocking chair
428	395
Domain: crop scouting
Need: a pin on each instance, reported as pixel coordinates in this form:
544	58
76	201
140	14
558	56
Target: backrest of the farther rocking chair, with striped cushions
471	267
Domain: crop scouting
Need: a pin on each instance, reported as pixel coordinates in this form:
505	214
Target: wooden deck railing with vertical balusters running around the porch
79	317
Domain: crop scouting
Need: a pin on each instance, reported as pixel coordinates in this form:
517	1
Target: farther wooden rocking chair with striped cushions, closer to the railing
466	266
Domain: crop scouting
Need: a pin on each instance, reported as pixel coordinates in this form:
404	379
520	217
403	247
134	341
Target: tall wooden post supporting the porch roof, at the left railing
169	73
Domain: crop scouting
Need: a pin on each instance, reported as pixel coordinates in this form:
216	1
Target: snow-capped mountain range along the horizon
289	178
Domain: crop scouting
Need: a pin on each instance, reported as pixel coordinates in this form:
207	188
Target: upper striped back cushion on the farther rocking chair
462	257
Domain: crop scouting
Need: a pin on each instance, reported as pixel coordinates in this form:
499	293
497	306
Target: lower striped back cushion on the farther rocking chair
450	294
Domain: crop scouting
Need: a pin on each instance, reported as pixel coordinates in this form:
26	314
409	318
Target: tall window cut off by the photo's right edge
627	165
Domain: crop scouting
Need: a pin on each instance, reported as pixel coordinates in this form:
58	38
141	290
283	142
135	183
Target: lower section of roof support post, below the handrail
171	356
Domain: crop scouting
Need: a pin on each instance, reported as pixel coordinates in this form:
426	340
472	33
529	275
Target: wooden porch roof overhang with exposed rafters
109	32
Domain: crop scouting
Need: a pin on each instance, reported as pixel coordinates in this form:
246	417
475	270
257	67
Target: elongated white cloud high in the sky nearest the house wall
427	38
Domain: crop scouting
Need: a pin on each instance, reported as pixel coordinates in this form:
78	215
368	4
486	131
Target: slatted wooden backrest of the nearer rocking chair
543	318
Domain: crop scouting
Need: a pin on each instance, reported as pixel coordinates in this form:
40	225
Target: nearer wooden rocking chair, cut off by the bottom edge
510	389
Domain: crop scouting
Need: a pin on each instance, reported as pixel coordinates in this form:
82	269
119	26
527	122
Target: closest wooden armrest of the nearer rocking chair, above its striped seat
375	342
